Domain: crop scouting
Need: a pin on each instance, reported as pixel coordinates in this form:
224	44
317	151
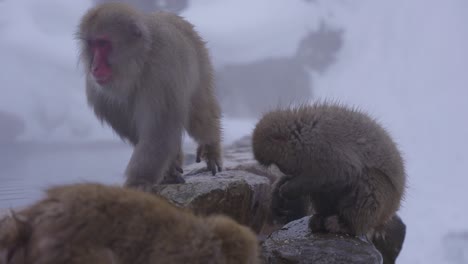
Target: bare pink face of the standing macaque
100	68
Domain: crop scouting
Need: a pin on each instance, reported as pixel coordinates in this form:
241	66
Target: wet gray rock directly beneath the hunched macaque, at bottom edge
294	244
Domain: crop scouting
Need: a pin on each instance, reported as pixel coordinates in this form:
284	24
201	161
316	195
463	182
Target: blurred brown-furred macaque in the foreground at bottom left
96	224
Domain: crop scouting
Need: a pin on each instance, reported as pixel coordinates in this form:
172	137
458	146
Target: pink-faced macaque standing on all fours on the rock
149	77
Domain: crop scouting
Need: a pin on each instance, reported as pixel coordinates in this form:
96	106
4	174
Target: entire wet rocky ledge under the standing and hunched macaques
242	191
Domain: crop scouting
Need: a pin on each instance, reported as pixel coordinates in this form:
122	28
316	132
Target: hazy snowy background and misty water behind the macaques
404	61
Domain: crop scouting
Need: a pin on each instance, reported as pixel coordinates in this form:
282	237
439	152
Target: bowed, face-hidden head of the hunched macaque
276	140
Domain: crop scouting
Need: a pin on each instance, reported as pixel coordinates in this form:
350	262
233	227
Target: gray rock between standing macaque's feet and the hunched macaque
238	194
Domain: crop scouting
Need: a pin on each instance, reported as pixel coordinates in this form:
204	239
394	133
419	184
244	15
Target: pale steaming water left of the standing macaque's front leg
26	170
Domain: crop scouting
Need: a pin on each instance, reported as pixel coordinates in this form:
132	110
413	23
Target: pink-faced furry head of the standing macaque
114	44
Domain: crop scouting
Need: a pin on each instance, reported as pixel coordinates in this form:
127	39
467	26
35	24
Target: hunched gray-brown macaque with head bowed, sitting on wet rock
342	159
